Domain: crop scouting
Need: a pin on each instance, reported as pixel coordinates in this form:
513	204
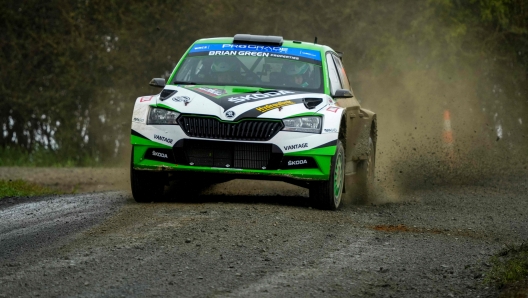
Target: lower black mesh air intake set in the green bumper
228	154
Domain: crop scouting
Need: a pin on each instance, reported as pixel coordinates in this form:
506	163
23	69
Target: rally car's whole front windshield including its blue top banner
294	70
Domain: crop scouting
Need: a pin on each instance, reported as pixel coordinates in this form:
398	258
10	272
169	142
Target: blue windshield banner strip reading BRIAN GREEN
255	50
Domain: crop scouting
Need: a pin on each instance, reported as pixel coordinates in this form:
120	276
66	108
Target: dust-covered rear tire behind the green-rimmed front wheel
365	175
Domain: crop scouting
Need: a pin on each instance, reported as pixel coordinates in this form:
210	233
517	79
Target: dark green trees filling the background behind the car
72	69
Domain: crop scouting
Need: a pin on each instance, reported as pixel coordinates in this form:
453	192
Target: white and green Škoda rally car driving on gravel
256	107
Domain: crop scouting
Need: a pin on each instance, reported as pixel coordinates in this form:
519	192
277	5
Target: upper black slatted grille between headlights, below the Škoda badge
245	130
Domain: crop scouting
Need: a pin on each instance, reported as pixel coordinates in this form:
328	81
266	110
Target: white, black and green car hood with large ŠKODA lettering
234	103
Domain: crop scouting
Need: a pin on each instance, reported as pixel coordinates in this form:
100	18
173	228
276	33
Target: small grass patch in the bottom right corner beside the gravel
509	271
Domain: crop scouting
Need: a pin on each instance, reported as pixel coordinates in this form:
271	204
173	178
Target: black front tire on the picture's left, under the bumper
147	186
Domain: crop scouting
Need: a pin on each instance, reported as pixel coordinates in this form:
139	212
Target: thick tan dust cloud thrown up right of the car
438	131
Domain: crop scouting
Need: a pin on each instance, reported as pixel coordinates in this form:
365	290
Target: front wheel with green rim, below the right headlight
328	194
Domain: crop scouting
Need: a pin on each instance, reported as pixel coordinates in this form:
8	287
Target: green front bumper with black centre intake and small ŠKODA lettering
226	157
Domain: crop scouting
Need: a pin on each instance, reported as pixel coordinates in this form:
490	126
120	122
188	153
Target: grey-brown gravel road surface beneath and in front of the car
258	239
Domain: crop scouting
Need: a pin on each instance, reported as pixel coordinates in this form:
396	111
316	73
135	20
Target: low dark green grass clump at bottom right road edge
509	266
